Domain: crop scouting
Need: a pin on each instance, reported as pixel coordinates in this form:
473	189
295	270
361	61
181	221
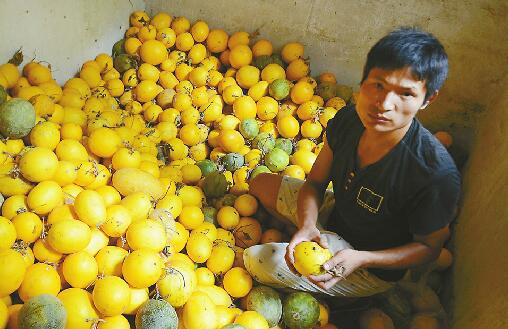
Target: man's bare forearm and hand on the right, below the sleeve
422	250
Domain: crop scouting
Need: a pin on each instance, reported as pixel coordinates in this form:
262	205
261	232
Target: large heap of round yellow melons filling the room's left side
104	200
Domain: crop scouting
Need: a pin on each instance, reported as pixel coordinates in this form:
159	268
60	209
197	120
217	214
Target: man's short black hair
414	48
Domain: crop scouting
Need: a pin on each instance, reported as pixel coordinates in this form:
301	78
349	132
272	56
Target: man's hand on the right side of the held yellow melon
342	264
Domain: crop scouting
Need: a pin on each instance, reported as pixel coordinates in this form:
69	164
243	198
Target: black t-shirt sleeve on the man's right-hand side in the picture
435	206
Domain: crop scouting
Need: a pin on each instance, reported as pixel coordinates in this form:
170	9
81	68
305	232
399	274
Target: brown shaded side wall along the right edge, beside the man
479	279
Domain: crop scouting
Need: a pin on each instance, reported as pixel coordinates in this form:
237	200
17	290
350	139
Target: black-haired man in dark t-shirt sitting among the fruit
395	187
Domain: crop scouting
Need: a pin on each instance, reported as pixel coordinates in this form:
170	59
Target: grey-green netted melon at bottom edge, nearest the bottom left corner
42	312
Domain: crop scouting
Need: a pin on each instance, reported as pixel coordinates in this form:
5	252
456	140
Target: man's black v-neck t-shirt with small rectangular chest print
414	189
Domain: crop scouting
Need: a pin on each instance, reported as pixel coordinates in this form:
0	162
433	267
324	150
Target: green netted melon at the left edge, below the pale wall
17	118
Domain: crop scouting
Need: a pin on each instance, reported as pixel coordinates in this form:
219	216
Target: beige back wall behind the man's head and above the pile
338	34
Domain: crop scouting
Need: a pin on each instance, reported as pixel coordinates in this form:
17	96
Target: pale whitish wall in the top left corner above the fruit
64	33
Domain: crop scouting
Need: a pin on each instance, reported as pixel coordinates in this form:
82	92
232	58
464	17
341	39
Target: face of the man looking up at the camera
389	99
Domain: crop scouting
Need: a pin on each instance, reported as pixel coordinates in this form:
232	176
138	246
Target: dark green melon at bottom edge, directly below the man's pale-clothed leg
300	311
